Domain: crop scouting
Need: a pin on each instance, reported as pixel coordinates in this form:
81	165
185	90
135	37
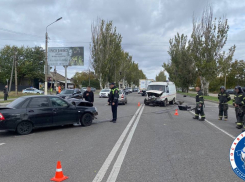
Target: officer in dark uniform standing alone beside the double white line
113	101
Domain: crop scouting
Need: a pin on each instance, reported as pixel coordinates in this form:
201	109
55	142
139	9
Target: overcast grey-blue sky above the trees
146	25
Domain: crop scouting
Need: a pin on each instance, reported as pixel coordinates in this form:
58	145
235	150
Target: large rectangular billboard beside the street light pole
66	56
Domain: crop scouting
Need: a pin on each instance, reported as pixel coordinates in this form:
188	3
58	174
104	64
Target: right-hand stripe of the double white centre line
117	166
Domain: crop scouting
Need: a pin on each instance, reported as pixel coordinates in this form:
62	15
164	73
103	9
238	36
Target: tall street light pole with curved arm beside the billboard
46	57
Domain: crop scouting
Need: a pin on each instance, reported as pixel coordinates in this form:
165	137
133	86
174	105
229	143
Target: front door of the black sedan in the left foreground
63	113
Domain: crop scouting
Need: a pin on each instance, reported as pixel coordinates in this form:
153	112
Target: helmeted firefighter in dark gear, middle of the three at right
223	97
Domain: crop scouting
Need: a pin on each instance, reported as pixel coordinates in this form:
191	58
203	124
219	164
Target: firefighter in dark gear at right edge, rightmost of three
238	102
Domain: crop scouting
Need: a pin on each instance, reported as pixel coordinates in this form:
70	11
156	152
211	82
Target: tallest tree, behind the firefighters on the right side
207	41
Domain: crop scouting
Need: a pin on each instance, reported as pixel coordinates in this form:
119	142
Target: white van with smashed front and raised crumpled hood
160	93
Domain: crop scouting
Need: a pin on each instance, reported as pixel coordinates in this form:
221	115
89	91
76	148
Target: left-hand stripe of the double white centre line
100	175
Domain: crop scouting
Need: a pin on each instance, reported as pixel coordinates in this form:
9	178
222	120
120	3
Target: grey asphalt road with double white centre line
147	144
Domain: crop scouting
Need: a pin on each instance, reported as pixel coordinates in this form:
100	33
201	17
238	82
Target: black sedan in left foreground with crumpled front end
29	112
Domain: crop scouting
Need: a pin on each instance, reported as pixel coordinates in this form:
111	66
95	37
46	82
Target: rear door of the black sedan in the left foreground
40	112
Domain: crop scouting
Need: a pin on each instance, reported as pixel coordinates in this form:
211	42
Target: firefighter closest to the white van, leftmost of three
199	105
